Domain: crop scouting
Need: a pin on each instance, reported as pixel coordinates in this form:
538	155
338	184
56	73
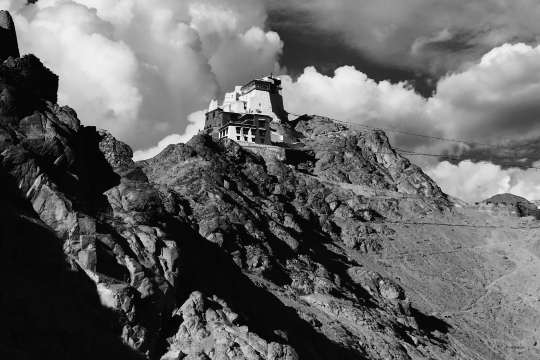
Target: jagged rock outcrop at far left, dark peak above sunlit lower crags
61	169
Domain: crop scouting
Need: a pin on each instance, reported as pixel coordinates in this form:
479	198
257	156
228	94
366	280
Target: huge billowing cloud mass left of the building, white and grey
139	68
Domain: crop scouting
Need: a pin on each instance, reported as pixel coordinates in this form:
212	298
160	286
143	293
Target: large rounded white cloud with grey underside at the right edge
494	98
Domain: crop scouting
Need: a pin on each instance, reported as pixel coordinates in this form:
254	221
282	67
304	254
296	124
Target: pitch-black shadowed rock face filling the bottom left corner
49	308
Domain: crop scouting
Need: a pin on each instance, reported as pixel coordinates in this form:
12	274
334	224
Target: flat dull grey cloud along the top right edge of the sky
432	35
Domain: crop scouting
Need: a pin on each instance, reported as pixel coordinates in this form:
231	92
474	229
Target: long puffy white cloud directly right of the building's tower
351	96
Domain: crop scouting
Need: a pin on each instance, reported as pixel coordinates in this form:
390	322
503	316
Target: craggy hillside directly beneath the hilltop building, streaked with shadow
290	230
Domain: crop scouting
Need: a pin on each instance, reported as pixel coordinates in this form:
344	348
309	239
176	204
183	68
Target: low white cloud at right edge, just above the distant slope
478	181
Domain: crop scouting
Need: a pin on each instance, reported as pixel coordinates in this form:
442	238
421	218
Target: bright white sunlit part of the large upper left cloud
99	74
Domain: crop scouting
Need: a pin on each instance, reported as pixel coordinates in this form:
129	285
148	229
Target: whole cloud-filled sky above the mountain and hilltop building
461	69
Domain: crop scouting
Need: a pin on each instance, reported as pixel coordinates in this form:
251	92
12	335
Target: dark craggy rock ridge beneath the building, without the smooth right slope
208	250
